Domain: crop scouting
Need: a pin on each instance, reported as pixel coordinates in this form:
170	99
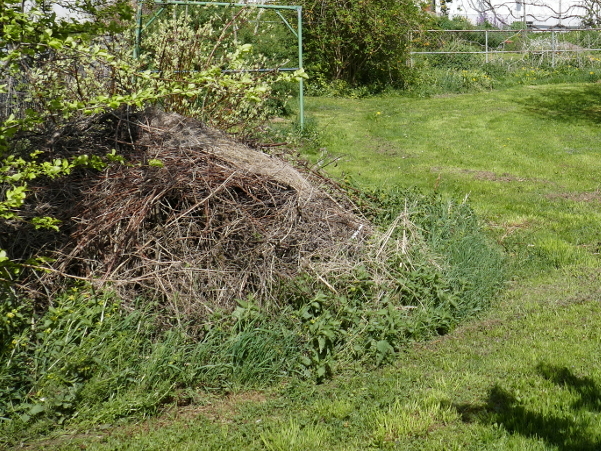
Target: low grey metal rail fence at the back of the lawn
551	46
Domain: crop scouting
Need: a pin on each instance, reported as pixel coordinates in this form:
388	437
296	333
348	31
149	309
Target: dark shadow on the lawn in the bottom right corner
569	432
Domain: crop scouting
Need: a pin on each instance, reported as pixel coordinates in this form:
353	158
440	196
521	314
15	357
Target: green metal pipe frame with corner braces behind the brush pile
298	33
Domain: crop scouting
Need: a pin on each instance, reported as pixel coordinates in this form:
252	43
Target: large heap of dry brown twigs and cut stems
194	220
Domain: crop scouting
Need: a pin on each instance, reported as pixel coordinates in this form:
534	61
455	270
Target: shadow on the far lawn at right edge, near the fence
581	104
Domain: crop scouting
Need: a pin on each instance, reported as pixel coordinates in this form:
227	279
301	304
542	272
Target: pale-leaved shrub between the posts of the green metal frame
210	77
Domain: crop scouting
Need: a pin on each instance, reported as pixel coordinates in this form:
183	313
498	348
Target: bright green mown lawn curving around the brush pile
526	375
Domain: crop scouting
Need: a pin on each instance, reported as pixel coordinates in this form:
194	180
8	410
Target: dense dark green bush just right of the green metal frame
361	43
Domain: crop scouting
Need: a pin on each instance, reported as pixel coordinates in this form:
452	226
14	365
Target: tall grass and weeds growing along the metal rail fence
535	60
